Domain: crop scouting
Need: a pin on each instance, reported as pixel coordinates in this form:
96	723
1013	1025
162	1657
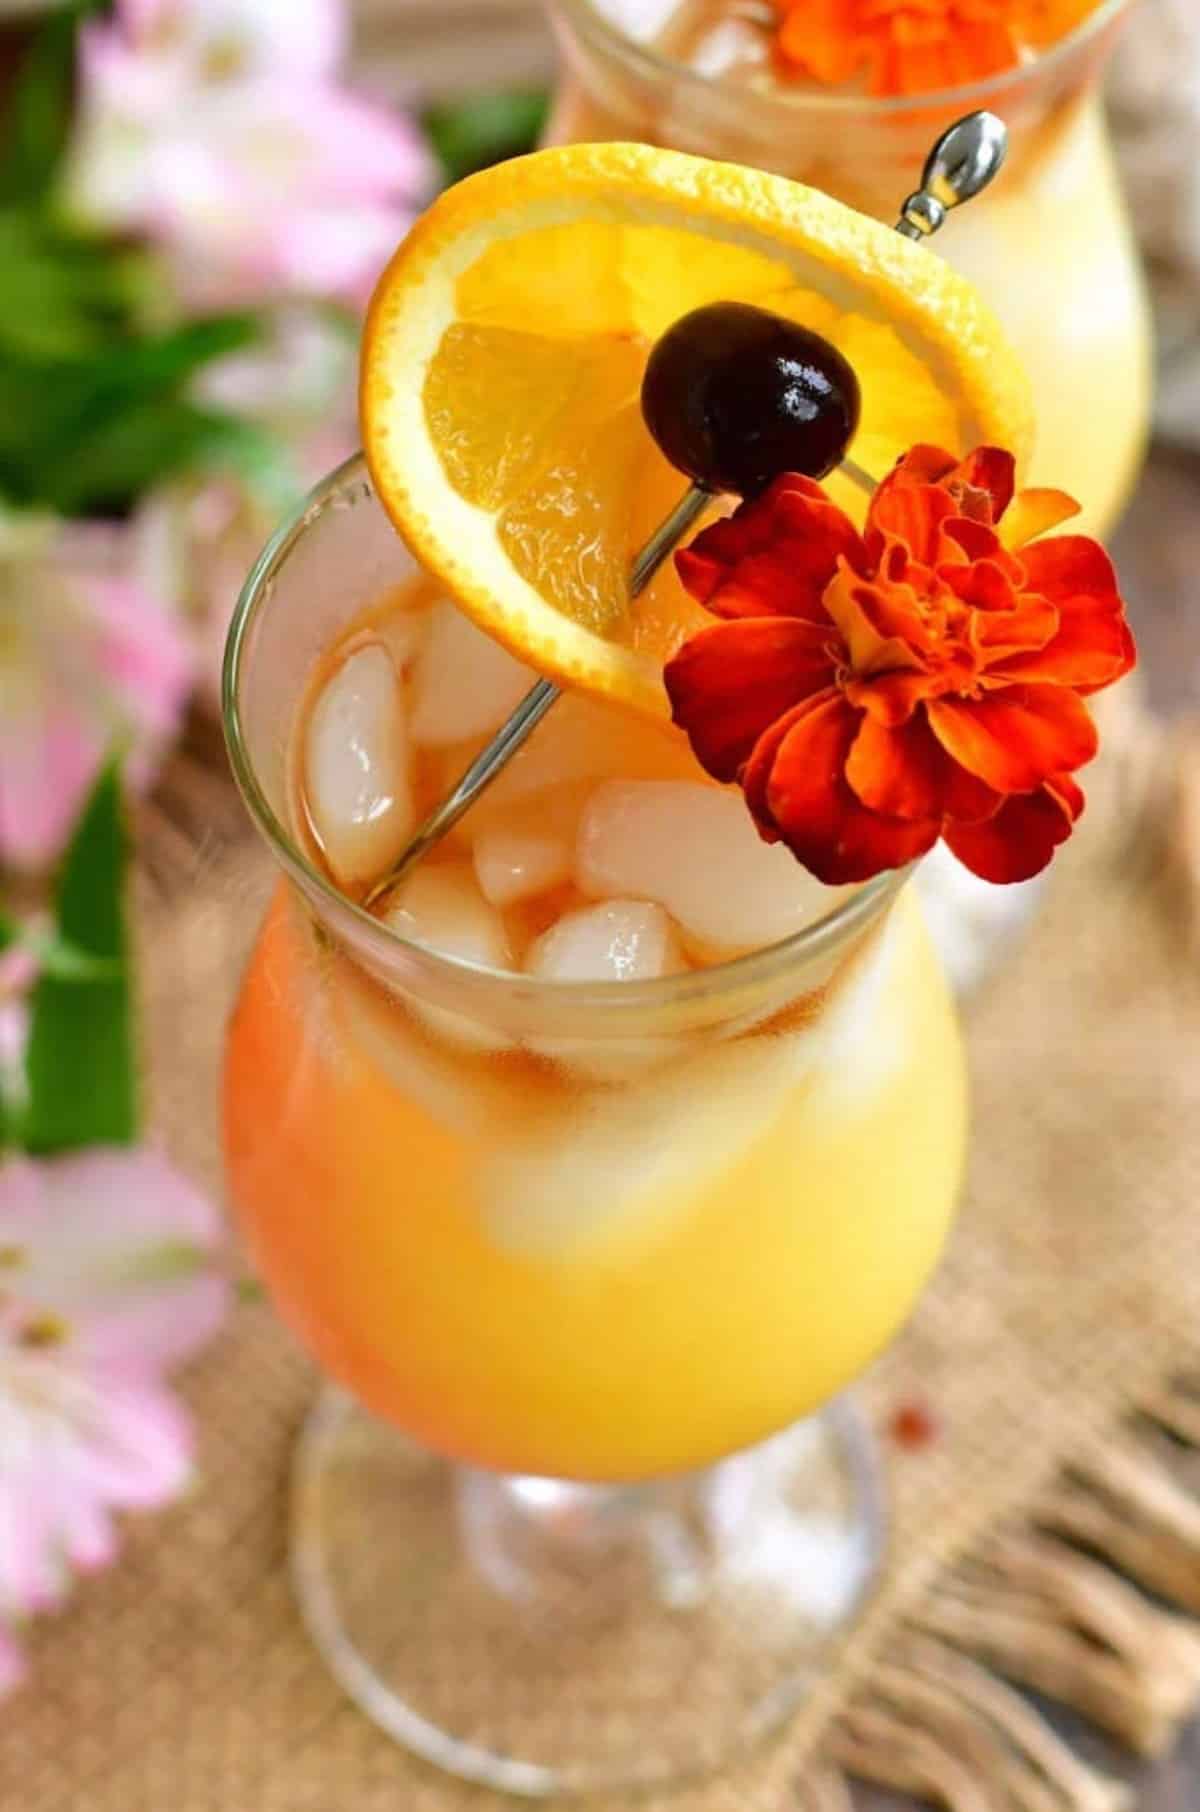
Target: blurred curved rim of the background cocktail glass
969	97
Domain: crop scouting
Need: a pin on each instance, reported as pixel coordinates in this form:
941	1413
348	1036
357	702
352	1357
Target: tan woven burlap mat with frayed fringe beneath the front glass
1047	1537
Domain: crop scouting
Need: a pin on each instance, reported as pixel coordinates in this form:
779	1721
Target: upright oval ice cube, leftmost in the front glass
358	782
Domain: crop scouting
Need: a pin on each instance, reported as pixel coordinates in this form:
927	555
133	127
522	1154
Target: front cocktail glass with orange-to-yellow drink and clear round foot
588	1266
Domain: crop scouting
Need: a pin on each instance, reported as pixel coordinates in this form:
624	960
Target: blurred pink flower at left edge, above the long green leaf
86	659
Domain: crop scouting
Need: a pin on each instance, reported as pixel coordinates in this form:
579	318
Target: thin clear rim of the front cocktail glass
755	969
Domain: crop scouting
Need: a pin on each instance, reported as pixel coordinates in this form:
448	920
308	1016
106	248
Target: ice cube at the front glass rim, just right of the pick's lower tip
443	909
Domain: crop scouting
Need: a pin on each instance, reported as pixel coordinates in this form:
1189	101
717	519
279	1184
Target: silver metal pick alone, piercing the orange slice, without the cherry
960	168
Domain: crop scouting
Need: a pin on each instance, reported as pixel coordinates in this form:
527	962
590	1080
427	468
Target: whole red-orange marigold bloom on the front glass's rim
927	679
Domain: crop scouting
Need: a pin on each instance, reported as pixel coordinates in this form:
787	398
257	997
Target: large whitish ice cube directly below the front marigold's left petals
697	853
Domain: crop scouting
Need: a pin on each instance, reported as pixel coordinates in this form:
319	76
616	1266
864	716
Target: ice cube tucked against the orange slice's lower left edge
465	684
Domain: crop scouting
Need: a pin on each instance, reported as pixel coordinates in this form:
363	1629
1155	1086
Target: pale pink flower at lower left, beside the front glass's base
110	1278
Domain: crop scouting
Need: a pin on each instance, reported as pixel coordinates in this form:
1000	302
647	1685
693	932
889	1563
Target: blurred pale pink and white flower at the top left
218	130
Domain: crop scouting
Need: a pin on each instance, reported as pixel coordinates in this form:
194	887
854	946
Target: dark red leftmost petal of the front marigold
731	682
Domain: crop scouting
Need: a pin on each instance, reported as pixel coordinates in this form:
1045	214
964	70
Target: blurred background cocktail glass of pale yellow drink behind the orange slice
1049	246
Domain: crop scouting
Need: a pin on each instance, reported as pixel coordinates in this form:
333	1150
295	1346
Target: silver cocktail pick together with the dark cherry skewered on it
811	418
